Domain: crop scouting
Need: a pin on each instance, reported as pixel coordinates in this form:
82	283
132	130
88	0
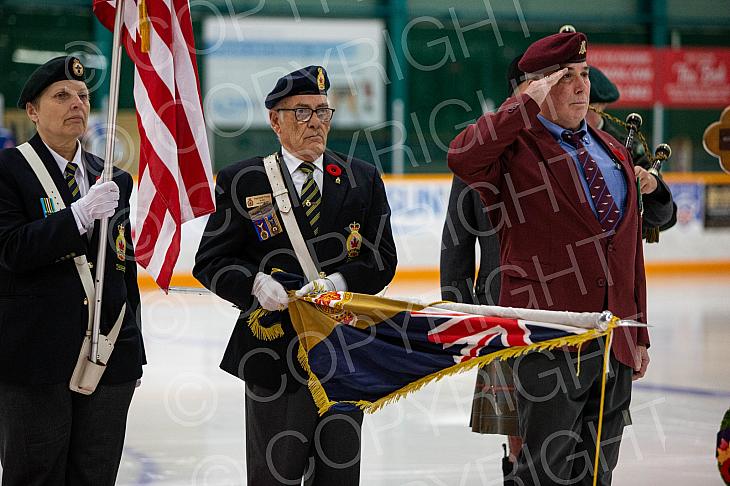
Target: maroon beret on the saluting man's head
562	48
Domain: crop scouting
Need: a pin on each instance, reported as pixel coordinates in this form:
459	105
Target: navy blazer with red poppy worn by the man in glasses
231	253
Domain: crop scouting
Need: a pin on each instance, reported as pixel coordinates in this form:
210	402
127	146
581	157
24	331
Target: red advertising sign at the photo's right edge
694	78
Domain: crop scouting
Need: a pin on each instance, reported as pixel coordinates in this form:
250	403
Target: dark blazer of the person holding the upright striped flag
43	306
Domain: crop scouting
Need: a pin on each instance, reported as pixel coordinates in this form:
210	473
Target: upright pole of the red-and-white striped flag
111	122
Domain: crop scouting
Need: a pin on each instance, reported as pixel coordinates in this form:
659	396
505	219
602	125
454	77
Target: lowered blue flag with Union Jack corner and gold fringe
368	351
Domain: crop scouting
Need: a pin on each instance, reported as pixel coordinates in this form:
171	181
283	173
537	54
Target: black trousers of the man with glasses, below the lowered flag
287	441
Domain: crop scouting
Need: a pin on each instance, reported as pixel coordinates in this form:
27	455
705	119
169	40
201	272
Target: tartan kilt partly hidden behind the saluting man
494	408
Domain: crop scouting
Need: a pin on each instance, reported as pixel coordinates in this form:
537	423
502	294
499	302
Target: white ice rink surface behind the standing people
186	421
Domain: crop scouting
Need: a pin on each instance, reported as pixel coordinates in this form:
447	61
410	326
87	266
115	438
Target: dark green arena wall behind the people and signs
447	84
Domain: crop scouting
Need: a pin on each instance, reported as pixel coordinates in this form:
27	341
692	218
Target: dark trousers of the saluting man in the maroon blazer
558	416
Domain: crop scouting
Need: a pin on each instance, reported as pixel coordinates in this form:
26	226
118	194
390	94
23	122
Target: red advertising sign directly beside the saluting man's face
632	70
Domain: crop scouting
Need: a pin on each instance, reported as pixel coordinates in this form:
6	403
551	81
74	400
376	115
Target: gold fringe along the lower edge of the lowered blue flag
324	403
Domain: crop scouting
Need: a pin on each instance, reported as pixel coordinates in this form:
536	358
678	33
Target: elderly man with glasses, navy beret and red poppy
341	210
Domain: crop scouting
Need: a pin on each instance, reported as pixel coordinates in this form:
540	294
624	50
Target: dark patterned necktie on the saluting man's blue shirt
607	210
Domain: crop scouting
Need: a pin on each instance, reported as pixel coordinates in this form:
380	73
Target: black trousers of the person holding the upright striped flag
50	435
